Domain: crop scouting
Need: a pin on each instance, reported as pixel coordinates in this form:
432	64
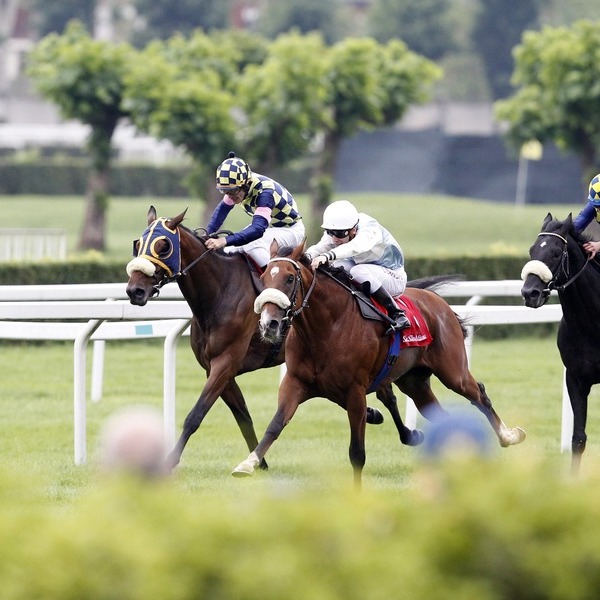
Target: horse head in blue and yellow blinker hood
157	257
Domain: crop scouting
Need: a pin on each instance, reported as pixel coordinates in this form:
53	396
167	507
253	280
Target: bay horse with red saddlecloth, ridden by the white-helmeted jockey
332	352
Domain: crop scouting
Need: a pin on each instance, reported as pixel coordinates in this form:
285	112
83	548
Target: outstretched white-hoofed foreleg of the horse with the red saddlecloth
290	396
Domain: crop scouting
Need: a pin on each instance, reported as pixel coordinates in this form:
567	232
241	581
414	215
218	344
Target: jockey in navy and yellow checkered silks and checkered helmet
273	210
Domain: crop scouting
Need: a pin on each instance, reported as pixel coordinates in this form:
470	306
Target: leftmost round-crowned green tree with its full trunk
85	79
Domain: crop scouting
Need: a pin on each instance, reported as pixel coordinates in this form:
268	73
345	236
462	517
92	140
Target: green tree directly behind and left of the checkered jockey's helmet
181	90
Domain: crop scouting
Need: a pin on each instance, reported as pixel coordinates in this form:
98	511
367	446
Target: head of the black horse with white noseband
550	264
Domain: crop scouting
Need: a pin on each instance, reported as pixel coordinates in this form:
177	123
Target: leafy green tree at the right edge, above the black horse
557	73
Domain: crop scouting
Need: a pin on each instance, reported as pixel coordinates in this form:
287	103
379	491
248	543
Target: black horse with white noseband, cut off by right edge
559	262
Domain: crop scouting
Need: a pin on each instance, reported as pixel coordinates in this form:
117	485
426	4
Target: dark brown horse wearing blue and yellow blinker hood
224	332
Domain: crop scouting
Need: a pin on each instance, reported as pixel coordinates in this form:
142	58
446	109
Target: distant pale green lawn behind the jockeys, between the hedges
434	226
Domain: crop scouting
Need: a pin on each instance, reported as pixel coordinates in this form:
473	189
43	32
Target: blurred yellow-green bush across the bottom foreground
485	530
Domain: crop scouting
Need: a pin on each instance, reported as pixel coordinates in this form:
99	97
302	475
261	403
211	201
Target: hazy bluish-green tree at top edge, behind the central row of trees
424	25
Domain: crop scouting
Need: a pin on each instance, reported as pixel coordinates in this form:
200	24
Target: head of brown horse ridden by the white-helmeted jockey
283	296
